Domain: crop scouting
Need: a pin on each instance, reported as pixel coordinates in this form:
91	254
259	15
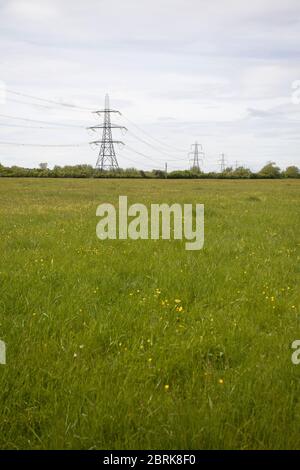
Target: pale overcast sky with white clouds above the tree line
217	71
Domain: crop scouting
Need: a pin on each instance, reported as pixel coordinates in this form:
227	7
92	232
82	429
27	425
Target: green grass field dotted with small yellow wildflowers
99	352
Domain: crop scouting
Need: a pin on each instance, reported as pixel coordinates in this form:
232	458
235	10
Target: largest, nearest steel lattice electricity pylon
107	156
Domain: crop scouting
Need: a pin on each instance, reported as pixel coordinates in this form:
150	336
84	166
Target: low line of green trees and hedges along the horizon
268	171
